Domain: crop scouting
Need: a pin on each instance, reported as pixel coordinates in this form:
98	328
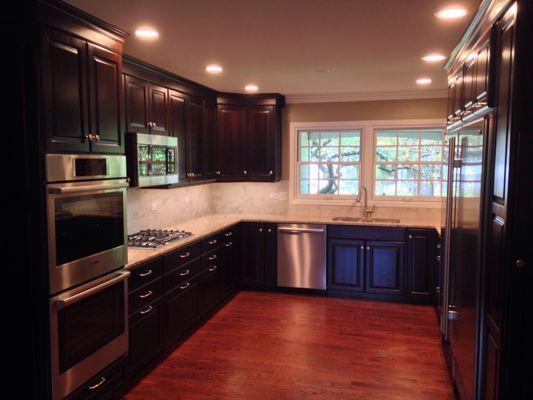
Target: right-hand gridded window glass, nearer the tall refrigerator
408	163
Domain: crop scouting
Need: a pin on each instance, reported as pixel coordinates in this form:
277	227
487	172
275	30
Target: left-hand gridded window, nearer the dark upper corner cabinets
328	163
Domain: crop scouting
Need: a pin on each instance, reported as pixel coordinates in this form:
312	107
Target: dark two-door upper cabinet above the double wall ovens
81	95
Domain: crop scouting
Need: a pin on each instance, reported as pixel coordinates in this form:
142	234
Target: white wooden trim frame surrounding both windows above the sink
367	155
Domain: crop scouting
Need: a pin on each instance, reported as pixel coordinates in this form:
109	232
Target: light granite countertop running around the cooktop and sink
205	226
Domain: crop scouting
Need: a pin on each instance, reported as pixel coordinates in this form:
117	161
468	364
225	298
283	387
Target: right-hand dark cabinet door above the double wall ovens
106	100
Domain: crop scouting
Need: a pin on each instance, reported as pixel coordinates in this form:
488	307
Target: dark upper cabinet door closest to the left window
262	144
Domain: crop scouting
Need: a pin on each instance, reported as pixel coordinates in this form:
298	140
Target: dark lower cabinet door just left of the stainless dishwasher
253	271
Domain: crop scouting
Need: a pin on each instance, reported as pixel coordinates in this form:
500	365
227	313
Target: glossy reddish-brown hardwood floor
284	346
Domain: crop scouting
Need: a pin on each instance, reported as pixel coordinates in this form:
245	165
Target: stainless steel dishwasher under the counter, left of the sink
302	256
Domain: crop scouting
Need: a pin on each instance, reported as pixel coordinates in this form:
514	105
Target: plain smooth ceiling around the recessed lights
368	46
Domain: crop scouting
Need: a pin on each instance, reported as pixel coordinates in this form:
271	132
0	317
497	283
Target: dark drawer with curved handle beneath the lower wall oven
99	386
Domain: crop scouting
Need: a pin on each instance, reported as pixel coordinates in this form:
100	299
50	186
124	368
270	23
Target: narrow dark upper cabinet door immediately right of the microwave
178	128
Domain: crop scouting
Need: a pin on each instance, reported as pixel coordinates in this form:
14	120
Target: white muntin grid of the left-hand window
338	164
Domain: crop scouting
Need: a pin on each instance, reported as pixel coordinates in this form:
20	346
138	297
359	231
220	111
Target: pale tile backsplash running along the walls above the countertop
160	208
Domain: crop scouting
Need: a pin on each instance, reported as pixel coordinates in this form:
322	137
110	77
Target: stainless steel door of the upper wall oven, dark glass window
87	234
